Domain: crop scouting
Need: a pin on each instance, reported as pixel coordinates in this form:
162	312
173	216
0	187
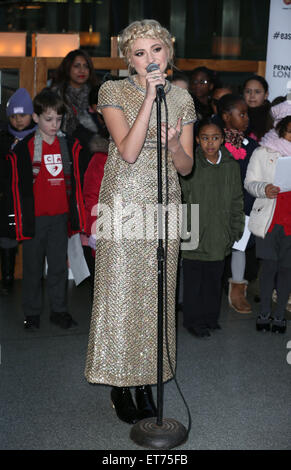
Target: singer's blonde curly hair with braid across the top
144	29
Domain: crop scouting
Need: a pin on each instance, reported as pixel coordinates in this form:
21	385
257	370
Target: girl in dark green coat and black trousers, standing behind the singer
214	184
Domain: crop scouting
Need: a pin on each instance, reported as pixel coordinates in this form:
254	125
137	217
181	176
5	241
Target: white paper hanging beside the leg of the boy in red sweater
77	262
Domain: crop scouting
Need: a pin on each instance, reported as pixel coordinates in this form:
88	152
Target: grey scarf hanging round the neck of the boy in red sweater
37	158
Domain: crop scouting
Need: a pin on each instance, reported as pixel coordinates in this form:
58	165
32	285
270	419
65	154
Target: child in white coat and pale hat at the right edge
270	220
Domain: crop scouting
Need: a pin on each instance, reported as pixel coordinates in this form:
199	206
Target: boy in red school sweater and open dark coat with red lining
47	199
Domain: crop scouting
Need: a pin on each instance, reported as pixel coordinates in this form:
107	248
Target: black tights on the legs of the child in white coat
272	275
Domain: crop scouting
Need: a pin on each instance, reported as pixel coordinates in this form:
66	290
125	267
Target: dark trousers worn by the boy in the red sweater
50	241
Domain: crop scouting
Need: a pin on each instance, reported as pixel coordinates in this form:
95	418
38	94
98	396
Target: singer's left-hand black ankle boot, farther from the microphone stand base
124	406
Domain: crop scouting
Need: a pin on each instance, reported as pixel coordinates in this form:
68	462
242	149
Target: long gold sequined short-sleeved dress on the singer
122	349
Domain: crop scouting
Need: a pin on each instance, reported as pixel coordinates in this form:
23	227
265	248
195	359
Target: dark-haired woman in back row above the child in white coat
255	92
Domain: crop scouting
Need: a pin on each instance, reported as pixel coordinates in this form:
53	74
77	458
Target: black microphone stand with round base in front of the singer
159	432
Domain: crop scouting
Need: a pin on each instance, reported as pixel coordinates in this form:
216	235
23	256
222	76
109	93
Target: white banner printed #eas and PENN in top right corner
278	64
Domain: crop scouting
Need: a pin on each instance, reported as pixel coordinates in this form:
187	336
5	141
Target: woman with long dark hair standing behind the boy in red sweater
75	77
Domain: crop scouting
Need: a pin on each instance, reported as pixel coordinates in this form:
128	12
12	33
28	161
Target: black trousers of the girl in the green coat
202	293
